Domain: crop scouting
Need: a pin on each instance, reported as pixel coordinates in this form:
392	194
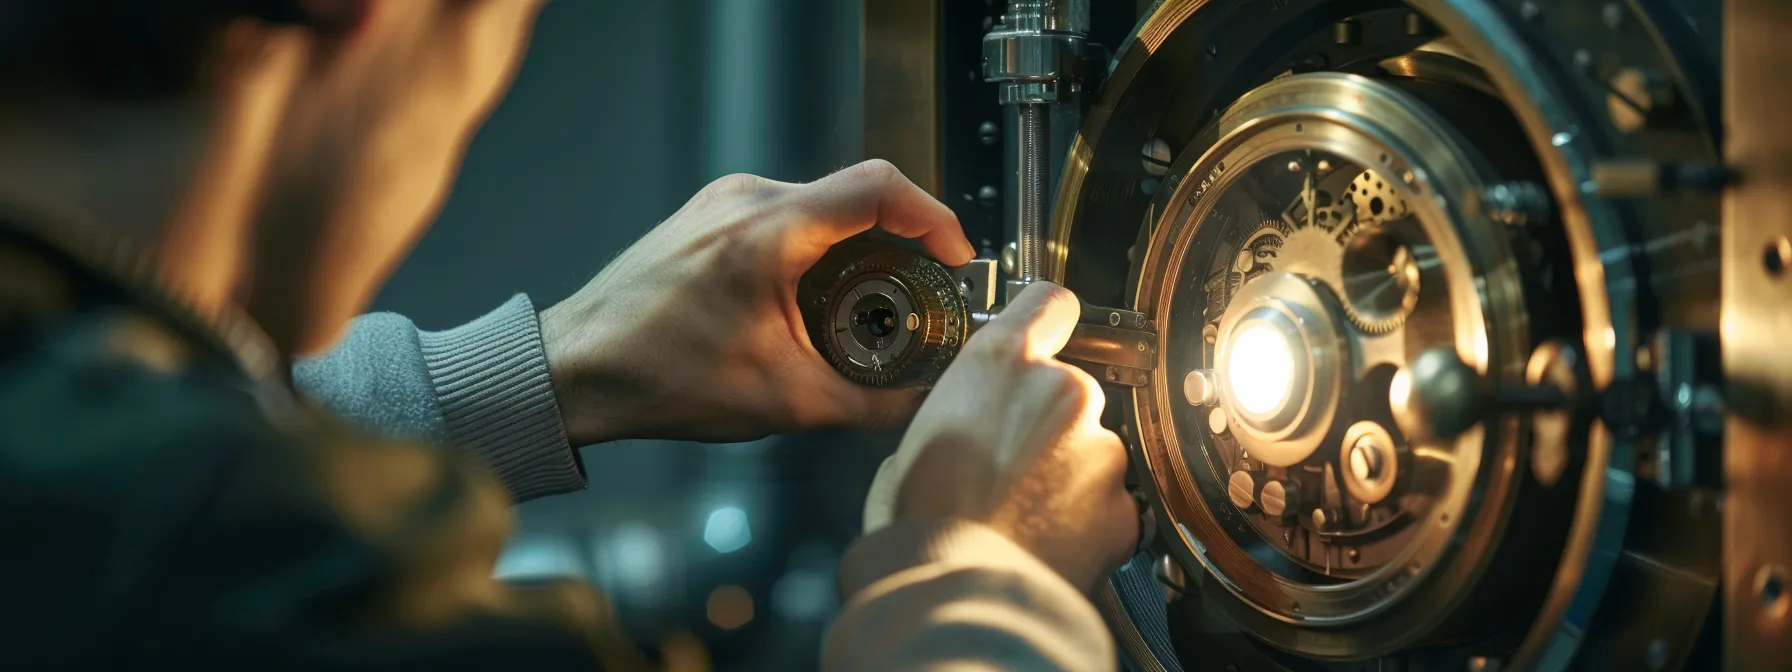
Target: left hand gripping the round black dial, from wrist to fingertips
694	332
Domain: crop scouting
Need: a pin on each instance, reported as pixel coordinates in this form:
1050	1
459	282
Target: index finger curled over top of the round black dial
877	194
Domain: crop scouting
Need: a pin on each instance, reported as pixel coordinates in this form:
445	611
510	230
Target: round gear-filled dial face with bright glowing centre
1345	510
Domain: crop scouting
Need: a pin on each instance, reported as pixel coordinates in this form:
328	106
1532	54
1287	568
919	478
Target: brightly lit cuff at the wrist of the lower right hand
943	542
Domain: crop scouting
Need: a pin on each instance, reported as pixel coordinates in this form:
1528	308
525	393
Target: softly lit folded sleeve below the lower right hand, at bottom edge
960	596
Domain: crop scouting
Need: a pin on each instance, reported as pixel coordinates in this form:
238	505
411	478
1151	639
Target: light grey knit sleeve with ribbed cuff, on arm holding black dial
483	388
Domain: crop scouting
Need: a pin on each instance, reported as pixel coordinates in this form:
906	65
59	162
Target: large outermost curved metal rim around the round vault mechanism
1608	313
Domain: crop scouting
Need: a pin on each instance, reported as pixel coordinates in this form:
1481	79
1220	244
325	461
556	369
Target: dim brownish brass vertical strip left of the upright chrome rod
900	83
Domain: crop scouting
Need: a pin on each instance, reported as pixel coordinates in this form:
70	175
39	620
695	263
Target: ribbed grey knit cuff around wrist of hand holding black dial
492	383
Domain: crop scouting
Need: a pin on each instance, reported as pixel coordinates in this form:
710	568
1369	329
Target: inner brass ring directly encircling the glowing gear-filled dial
1295	110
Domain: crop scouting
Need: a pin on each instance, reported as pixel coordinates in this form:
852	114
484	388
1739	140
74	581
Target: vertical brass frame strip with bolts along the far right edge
1757	322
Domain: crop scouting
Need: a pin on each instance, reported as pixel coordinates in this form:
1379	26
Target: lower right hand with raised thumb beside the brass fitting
1013	440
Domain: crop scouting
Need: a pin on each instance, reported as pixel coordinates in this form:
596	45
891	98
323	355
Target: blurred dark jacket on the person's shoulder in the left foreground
166	503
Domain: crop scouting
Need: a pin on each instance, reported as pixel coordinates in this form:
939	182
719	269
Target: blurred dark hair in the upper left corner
117	49
